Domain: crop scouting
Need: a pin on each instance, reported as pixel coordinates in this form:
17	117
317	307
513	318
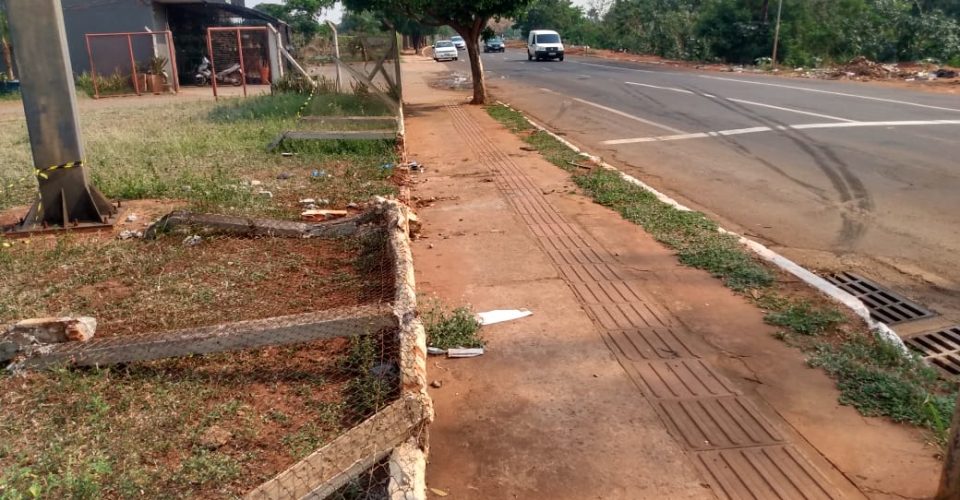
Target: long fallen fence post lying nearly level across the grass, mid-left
238	336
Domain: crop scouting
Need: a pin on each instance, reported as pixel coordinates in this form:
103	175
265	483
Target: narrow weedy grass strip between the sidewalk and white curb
873	376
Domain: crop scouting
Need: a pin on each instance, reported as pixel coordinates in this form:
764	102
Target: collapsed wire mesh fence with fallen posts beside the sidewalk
315	404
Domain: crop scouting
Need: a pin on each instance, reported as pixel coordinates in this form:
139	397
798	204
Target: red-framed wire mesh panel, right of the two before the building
238	57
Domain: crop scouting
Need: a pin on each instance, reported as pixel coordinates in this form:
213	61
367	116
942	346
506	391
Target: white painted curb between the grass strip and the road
783	263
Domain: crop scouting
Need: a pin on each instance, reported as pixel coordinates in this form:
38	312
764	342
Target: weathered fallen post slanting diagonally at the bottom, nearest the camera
331	467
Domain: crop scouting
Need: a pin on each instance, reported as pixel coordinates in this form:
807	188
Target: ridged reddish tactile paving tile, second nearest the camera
712	423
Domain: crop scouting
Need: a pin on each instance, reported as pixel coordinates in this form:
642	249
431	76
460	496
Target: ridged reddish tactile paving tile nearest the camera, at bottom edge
768	472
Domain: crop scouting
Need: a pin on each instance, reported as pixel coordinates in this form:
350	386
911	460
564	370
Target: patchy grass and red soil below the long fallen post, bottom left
139	430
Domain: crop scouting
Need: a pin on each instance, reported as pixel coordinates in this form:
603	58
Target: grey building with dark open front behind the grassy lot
187	20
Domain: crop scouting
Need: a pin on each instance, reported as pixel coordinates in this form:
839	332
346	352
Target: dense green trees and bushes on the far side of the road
813	32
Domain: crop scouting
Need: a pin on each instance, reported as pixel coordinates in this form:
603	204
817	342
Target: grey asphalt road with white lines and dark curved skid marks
837	175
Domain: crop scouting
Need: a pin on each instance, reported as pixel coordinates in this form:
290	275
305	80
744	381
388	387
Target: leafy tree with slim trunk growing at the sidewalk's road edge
467	17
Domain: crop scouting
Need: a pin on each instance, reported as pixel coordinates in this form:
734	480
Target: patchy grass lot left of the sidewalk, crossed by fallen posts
204	426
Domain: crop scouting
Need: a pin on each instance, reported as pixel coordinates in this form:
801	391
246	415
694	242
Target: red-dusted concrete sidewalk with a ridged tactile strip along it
635	377
